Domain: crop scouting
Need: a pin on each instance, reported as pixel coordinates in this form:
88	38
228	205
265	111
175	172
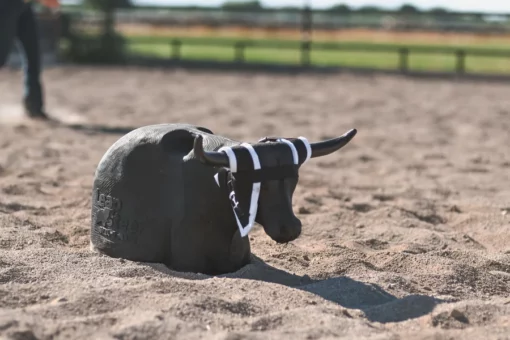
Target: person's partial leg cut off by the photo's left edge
9	13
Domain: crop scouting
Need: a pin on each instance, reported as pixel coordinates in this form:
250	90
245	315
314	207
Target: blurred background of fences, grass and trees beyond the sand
464	37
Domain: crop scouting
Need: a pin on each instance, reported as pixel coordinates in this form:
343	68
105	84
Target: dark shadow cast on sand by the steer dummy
377	304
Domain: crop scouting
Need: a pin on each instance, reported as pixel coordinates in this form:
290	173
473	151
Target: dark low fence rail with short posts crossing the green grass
306	48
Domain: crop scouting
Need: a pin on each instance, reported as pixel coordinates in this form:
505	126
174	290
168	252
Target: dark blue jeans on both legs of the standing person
18	24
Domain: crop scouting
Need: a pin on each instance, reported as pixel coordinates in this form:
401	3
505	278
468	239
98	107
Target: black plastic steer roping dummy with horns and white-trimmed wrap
180	195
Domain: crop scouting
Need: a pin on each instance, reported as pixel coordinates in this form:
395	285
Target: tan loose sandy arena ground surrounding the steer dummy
406	231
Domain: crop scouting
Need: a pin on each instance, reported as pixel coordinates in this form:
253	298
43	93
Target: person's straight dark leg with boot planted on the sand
29	42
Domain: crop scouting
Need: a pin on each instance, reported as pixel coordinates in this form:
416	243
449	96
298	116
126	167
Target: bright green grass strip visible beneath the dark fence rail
365	55
